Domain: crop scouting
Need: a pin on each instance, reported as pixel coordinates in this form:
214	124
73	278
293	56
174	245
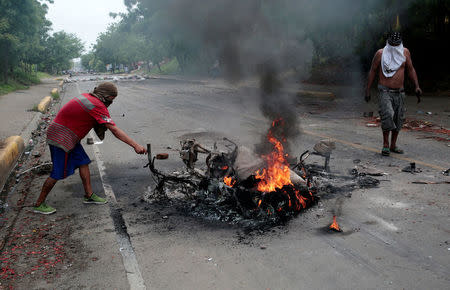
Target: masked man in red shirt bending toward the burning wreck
70	126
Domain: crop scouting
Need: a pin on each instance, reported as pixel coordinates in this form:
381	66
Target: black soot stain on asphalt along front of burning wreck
169	217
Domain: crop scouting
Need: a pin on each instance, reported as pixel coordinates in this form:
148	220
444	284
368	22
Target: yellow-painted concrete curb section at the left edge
9	154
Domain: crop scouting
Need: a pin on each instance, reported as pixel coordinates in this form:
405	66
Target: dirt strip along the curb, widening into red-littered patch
34	250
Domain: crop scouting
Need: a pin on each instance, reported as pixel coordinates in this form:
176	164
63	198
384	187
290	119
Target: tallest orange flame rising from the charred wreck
277	173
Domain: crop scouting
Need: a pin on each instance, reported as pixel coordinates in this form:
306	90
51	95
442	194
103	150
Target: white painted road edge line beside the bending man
129	260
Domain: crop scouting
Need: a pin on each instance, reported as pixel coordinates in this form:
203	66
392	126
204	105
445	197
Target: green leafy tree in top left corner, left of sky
25	44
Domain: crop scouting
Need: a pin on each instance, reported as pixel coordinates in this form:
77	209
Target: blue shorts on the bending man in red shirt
64	164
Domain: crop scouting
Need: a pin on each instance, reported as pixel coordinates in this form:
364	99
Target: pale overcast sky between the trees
85	18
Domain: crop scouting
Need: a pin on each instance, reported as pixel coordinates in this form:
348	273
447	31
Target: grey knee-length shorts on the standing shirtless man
392	108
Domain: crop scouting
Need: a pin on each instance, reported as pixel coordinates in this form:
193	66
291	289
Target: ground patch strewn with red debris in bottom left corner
38	251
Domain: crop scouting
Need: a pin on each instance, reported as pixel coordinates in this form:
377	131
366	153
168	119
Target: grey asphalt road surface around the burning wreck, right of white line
396	236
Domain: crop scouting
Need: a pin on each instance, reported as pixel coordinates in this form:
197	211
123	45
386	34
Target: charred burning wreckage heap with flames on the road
236	186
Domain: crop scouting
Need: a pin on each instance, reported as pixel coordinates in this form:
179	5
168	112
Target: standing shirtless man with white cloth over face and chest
390	63
